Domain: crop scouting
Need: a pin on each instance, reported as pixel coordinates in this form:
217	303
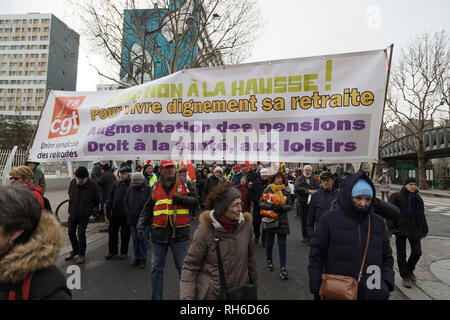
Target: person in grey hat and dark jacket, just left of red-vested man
136	196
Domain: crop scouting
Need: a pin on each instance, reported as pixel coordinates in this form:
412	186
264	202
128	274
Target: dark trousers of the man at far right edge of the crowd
406	267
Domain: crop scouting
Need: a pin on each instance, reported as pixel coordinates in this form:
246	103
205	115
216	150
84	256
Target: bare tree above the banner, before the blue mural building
174	35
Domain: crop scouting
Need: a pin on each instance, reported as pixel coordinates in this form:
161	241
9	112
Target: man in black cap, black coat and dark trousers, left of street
84	196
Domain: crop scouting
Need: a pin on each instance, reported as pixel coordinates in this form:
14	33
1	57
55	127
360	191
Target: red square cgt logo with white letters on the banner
65	118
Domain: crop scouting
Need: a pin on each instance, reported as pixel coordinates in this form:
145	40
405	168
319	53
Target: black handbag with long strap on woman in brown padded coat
246	292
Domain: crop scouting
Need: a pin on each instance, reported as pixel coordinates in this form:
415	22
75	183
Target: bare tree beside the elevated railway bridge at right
419	92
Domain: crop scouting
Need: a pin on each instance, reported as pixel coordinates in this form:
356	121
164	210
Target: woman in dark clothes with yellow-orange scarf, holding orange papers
278	186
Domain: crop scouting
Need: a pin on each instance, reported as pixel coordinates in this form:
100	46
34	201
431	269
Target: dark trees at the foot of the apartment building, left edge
14	132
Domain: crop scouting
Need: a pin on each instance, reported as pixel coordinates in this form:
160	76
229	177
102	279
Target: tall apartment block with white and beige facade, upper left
37	52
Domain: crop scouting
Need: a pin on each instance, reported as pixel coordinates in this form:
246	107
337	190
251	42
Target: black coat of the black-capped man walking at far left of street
83	199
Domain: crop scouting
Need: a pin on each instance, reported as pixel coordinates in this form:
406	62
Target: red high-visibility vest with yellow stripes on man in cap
164	209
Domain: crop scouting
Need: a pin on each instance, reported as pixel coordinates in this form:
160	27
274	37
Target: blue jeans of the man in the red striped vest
159	253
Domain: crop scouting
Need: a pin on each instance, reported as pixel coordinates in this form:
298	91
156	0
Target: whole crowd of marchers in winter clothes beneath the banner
237	207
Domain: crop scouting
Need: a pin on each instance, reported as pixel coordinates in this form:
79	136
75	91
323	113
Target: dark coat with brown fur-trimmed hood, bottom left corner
36	256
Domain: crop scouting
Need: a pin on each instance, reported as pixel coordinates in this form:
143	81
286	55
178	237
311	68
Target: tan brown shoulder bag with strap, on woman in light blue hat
337	287
